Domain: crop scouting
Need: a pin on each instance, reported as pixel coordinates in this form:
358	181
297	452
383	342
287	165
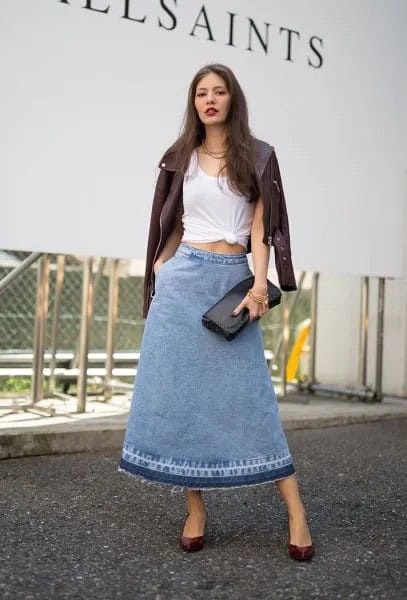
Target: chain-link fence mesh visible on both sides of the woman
17	311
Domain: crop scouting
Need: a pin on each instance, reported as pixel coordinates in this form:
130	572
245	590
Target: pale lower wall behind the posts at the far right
338	333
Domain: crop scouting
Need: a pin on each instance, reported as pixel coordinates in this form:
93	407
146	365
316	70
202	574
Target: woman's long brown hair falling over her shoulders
240	153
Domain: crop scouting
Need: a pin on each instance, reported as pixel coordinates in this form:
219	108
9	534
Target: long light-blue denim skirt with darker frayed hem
204	413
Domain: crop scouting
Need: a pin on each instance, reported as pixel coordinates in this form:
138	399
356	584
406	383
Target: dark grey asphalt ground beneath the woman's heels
72	527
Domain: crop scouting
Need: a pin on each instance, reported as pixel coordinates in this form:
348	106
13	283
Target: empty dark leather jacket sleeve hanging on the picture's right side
281	235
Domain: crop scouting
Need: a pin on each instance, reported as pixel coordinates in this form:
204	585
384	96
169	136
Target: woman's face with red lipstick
212	99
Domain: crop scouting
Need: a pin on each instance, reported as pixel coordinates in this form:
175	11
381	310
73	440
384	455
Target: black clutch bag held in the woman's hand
219	317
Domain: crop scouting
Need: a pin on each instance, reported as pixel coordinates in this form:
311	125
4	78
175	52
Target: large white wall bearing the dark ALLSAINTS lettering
90	100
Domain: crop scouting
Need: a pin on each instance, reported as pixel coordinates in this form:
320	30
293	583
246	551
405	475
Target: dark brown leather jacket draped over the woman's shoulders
168	195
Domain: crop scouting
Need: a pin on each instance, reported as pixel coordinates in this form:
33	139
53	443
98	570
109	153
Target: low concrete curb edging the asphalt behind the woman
91	440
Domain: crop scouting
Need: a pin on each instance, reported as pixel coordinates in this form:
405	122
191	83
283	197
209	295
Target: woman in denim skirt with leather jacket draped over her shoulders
204	413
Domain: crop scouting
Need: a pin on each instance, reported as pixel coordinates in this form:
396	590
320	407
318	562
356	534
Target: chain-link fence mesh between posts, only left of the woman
17	311
